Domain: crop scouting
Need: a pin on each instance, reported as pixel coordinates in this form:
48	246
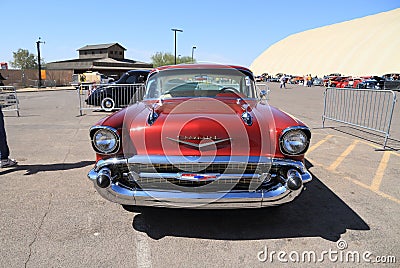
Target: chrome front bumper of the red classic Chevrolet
260	197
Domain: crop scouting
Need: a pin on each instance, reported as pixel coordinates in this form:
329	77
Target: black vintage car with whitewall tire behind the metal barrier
119	94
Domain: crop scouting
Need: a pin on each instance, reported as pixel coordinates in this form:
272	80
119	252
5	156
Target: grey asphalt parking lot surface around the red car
53	217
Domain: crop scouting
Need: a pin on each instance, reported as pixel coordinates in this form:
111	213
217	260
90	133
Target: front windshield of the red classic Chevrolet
173	83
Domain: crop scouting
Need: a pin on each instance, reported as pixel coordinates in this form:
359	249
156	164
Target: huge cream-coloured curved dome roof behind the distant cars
364	46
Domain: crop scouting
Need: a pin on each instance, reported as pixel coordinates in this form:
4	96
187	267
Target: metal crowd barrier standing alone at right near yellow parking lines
365	108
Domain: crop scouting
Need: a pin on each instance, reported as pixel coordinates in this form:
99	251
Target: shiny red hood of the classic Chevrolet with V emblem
200	127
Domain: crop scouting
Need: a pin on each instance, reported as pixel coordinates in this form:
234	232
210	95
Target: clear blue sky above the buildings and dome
225	31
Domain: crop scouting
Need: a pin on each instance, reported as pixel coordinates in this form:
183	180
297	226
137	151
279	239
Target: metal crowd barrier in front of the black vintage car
108	97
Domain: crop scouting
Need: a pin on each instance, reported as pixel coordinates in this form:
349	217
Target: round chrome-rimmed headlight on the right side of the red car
294	142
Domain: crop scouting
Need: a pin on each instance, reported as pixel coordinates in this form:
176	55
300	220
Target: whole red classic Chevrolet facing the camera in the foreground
210	142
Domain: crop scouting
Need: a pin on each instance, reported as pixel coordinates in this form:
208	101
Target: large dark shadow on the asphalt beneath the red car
317	212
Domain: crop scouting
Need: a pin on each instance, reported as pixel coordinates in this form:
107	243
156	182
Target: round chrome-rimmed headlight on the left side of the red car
105	141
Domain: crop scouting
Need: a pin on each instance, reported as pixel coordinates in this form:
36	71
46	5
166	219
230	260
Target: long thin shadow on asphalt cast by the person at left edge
33	169
